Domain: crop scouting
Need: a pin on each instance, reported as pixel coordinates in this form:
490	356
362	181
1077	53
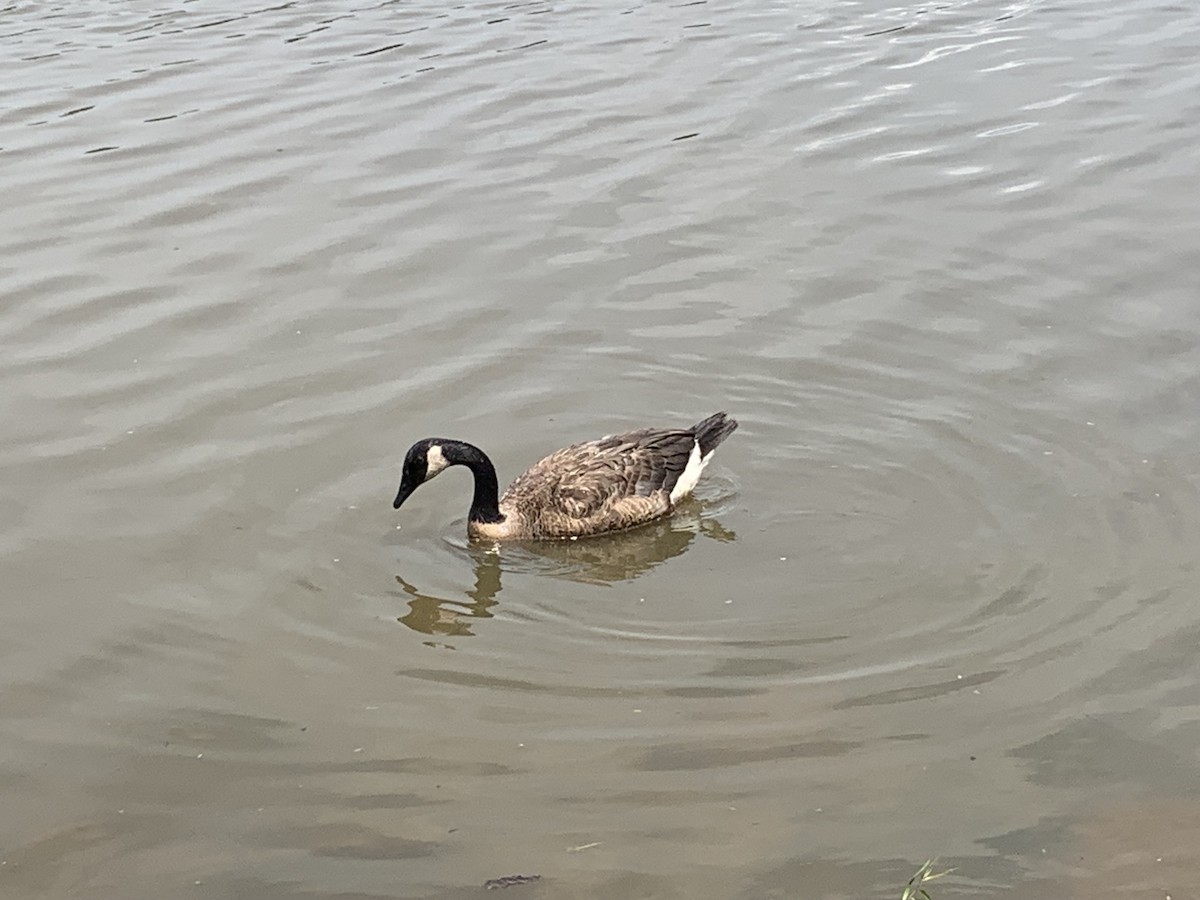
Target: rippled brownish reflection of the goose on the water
604	560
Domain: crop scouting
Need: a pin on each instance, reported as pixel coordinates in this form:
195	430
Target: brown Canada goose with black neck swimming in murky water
607	485
